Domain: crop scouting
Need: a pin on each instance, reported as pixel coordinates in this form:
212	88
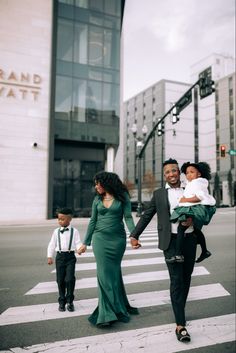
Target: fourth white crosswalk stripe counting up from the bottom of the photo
125	263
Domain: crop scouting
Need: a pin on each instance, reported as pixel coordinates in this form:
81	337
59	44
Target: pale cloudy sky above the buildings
163	38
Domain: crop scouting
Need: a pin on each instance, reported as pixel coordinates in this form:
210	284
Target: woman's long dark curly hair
112	184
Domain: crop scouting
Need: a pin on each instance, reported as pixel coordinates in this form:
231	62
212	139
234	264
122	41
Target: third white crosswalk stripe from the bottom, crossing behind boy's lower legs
91	282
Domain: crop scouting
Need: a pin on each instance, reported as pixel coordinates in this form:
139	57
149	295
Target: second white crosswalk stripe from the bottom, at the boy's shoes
40	312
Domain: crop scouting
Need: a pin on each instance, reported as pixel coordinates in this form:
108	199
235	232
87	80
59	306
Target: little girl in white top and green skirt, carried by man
197	204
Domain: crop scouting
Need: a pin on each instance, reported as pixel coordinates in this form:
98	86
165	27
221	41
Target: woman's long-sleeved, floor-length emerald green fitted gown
107	233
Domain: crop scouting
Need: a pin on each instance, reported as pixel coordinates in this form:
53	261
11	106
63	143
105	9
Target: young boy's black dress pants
65	267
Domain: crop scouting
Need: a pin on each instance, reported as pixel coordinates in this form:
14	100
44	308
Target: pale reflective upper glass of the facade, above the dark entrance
87	65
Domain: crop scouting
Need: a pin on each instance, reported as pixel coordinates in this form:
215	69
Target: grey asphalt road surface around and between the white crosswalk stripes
23	265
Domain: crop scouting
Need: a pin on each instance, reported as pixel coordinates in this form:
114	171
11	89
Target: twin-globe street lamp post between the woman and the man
139	145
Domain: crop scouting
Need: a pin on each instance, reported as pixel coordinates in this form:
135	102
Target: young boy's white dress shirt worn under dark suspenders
65	241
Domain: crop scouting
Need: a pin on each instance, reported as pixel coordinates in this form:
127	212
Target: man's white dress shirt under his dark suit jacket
174	195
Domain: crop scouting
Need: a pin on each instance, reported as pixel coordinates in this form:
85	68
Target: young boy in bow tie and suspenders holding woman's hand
65	241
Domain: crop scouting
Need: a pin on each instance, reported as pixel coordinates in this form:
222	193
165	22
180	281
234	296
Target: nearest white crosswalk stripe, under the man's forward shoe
204	332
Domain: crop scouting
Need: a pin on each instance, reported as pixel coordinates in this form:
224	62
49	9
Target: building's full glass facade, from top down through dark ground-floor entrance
87	100
